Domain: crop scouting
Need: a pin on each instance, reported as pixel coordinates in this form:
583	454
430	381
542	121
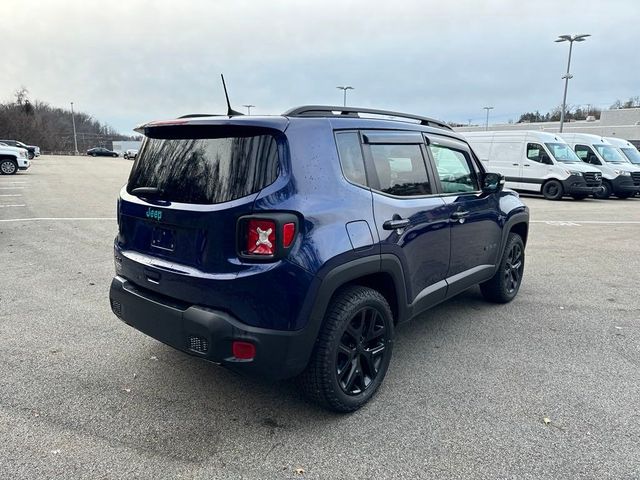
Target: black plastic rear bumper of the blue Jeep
208	333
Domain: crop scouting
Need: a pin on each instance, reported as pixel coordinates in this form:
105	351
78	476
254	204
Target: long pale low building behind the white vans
622	123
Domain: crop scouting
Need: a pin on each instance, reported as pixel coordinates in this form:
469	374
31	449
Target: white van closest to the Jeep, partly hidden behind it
537	162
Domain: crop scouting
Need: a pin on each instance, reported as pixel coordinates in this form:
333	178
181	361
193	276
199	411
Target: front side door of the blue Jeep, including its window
475	221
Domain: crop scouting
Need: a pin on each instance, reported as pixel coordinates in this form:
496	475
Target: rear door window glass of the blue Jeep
401	169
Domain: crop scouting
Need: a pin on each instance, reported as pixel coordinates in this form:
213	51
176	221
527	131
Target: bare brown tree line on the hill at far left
51	128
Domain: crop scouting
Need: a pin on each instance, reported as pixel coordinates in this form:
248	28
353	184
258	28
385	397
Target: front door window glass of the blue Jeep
454	169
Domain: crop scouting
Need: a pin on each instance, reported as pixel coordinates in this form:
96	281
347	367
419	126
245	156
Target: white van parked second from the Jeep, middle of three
617	172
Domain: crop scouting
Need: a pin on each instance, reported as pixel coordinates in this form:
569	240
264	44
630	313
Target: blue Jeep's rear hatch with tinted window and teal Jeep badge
187	188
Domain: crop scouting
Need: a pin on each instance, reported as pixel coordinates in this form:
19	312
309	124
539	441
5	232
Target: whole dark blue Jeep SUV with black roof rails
291	246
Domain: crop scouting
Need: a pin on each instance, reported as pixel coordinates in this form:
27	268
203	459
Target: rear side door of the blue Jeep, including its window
411	220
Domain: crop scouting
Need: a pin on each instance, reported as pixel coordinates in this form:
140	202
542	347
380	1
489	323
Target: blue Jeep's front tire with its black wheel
504	285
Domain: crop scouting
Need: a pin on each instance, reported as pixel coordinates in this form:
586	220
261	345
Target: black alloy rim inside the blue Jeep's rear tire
361	351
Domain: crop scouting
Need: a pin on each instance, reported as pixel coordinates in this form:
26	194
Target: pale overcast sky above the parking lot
130	61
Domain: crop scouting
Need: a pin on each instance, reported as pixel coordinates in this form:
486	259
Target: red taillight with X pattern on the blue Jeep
266	236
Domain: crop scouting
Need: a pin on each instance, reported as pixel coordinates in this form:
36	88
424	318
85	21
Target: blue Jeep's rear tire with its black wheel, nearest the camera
343	373
